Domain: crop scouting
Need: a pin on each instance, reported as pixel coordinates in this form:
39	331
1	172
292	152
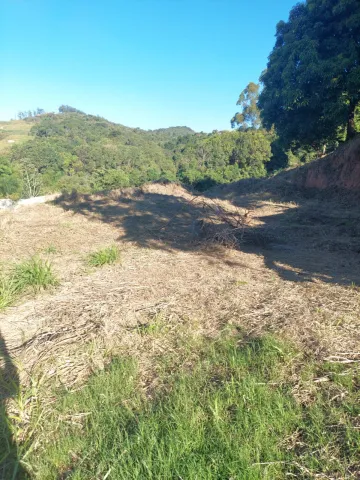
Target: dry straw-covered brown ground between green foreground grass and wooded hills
294	270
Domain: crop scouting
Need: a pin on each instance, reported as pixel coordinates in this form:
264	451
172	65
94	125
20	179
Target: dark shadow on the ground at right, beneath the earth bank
304	234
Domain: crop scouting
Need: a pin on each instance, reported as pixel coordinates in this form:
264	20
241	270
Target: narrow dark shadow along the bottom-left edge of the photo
10	467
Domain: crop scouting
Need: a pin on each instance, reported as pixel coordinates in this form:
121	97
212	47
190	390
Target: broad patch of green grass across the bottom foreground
231	414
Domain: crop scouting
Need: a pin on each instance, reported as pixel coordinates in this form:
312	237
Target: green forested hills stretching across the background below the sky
72	150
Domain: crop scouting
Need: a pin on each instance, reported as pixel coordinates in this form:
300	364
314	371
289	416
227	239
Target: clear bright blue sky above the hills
142	63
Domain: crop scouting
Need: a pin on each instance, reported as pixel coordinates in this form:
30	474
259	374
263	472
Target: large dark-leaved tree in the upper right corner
312	81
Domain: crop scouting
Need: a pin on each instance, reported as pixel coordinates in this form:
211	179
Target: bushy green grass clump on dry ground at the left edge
34	273
